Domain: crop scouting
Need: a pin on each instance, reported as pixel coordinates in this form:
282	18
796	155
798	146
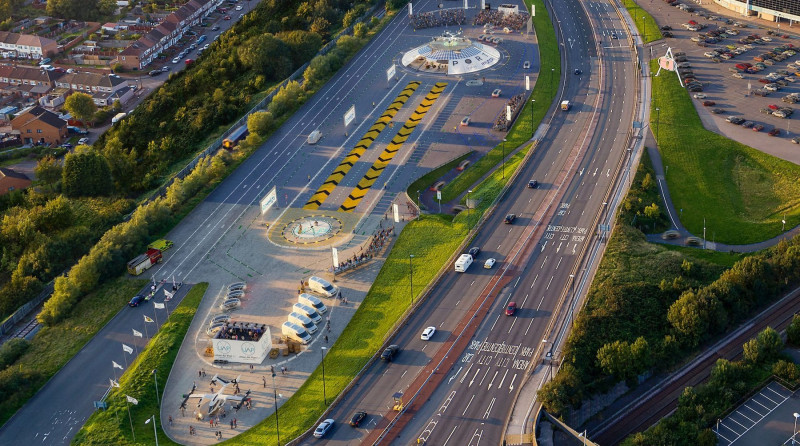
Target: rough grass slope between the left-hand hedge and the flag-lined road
53	346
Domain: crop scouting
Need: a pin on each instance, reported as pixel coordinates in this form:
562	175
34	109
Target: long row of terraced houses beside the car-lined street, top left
145	50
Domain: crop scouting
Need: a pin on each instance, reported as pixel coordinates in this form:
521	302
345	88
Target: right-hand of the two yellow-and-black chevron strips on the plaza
385	158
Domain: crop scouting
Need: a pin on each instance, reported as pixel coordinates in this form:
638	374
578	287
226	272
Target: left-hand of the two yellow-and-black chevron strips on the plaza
350	160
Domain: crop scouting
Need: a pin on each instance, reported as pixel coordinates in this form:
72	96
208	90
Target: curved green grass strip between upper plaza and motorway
521	131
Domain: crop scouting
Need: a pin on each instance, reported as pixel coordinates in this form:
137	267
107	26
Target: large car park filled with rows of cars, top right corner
744	77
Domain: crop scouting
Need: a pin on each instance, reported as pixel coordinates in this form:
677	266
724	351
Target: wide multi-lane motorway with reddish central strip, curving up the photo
483	363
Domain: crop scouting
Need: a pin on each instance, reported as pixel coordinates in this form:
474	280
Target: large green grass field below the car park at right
741	192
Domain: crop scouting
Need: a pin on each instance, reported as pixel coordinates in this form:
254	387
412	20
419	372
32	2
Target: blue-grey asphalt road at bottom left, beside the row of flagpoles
55	414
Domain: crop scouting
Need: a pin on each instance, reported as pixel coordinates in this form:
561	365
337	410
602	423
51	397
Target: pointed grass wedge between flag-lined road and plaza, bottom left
112	426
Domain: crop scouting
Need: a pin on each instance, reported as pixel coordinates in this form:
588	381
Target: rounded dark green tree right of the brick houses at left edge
86	174
